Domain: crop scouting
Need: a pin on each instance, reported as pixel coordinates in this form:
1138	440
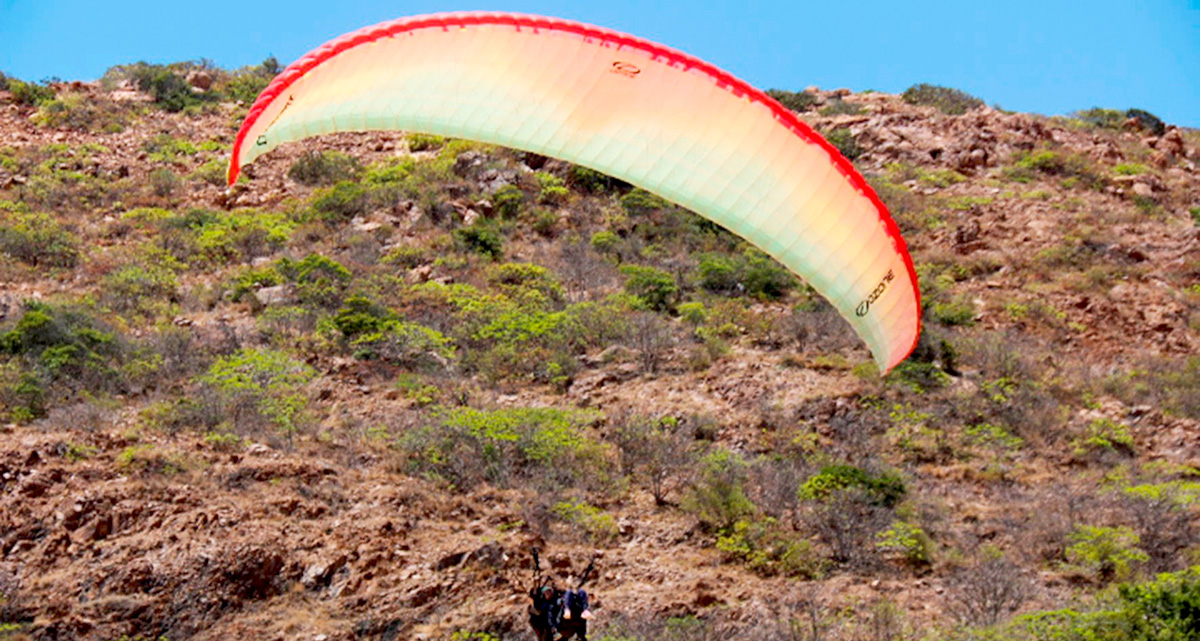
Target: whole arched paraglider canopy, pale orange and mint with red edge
634	110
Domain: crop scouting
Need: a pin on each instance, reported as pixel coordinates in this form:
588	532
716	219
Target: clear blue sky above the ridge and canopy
1046	57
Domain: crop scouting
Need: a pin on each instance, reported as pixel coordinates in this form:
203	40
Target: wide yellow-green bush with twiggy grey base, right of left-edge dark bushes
255	390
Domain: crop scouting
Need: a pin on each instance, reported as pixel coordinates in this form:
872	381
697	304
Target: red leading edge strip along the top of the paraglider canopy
446	21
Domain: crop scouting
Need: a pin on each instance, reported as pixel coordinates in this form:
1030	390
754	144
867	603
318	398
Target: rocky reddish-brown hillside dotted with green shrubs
349	398
